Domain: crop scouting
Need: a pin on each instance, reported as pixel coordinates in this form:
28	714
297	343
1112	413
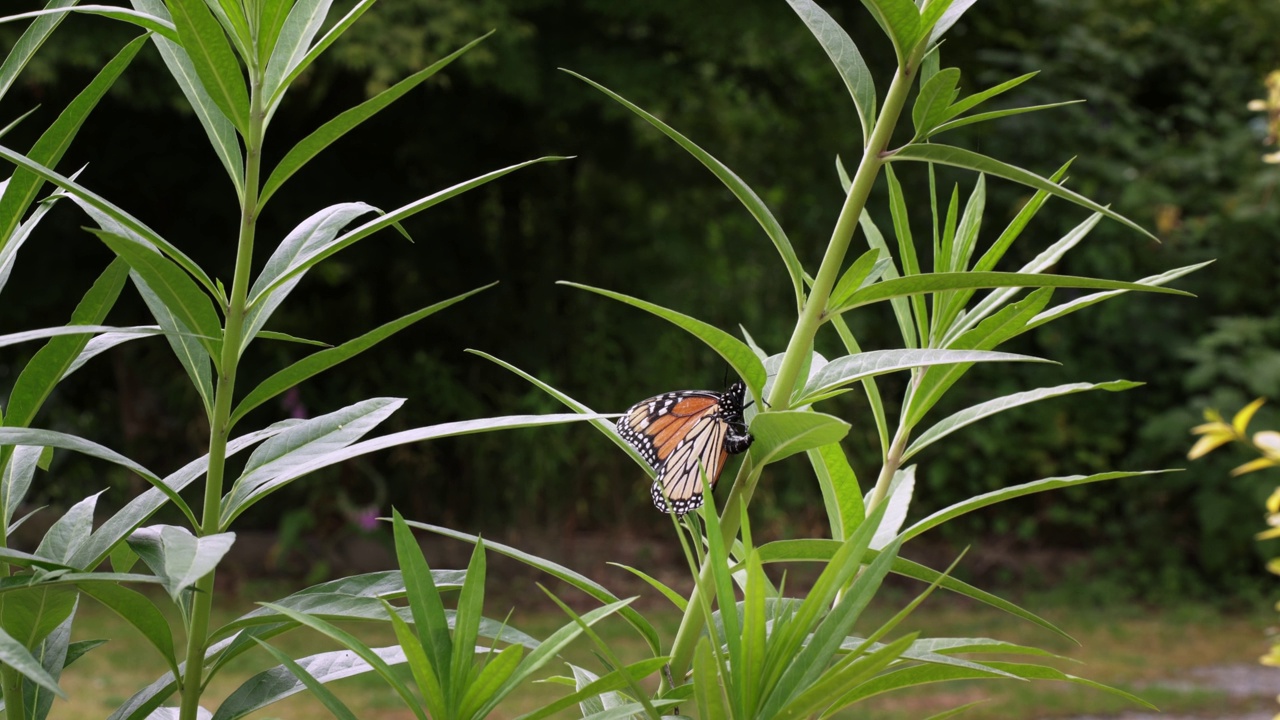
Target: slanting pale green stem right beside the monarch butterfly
802	341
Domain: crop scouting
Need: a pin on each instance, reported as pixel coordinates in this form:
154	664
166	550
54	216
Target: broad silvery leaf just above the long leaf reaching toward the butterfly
314	438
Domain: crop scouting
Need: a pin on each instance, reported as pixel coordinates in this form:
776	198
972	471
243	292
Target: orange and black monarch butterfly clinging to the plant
678	432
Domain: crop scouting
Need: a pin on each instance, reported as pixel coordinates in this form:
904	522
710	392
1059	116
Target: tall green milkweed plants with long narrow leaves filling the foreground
744	648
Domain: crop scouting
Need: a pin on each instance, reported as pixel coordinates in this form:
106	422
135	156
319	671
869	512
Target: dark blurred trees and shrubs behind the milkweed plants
1165	138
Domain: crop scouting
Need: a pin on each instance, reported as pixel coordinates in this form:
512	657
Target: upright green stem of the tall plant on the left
220	425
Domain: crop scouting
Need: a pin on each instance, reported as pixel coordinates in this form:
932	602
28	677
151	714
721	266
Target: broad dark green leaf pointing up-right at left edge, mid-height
53	362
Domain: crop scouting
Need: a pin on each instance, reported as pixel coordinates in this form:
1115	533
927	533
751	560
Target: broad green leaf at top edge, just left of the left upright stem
216	62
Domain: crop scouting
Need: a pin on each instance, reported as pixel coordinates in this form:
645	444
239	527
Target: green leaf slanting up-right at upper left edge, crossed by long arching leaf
25	185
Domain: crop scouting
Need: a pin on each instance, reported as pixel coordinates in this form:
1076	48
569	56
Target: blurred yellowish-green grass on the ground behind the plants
1127	646
